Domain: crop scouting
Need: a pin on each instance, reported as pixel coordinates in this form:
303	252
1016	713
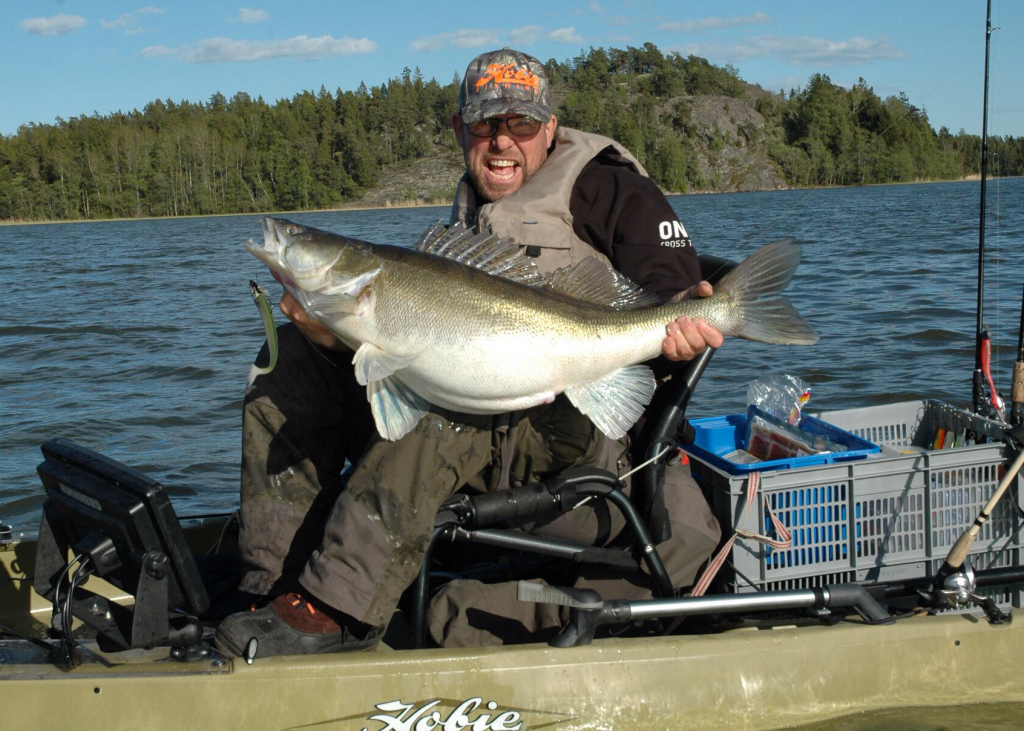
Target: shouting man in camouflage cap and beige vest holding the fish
334	563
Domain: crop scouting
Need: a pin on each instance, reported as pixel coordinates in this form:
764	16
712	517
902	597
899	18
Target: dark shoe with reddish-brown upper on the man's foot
290	626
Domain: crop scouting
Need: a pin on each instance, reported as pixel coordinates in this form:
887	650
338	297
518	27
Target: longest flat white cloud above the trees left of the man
223	51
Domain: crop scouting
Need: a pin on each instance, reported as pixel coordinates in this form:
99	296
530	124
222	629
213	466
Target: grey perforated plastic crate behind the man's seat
891	517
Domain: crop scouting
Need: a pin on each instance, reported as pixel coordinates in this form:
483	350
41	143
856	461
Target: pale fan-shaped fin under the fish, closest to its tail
616	402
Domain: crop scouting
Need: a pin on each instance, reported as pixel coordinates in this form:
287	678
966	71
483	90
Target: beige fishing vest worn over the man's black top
537	217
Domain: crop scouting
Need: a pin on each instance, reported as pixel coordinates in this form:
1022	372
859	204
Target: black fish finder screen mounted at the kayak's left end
122	526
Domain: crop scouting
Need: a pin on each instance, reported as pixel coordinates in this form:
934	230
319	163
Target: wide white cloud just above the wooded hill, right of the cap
802	52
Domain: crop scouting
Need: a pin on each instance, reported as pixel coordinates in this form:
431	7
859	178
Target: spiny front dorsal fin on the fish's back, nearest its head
487	252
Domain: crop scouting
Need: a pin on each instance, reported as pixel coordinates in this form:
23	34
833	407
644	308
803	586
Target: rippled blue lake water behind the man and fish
136	337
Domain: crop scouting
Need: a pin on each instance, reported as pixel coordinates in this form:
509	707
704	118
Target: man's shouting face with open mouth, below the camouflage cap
500	165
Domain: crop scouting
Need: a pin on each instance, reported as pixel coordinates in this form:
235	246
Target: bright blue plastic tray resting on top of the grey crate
717	437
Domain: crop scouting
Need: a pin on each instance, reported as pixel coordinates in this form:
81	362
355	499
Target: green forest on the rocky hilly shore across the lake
696	126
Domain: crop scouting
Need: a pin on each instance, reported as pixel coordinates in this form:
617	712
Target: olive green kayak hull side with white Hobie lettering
743	679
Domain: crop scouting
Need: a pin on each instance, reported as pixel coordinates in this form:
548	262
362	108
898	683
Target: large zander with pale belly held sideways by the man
464	322
